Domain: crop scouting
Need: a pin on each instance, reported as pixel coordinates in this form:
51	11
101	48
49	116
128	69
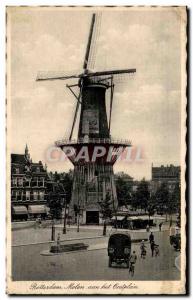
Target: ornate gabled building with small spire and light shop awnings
28	186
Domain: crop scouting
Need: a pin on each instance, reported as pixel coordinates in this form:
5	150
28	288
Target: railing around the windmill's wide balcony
92	141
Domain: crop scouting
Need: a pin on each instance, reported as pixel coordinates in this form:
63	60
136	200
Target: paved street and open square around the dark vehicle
92	264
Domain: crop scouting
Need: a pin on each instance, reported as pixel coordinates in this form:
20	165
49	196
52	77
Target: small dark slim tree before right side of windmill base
106	210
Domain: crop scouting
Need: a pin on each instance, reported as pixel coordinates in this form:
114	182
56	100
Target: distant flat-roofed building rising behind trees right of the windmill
165	174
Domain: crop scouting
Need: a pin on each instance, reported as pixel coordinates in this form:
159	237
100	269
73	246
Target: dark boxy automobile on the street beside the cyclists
119	248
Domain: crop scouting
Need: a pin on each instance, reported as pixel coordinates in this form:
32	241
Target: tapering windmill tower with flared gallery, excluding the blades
93	180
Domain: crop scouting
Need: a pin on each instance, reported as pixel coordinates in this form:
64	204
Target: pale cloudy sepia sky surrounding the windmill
146	106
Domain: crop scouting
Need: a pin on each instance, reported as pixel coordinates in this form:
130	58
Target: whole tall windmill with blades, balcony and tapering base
93	179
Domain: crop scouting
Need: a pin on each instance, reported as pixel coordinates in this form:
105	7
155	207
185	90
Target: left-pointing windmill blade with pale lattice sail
43	75
